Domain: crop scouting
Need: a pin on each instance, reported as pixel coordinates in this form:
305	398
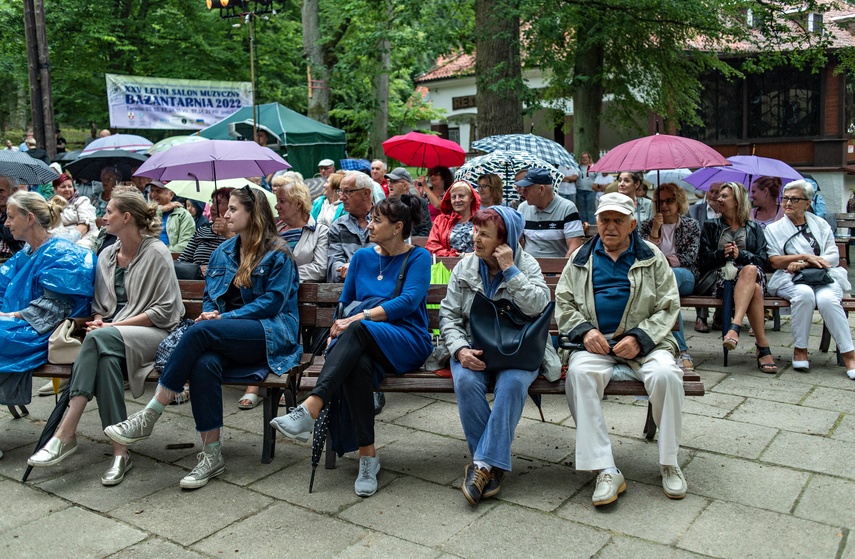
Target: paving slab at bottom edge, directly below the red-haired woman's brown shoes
497	531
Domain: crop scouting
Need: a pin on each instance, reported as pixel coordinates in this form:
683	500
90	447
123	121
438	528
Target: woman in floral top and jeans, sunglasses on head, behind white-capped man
678	237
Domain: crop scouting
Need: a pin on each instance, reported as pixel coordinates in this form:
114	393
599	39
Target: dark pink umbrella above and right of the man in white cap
660	151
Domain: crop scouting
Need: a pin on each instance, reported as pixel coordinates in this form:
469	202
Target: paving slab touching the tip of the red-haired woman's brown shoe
409	502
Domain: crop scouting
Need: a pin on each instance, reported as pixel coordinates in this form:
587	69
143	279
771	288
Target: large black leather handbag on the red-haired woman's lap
509	338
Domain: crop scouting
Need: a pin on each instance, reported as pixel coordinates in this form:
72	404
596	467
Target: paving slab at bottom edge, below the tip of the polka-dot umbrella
282	531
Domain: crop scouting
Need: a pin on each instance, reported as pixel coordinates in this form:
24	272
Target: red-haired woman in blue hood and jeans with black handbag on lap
499	270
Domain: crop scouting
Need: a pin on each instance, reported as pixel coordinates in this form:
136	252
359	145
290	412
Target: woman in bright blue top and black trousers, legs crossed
383	332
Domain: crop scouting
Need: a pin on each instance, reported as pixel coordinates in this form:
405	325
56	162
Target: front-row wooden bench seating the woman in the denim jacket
313	299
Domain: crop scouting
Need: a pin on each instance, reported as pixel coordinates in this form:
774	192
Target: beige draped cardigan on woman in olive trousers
152	289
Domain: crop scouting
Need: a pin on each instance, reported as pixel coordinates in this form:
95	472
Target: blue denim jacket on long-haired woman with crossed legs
272	300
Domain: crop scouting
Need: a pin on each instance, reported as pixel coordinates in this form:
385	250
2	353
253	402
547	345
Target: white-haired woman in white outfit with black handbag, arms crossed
803	252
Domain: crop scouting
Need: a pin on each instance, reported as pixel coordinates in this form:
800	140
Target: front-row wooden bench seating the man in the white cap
429	382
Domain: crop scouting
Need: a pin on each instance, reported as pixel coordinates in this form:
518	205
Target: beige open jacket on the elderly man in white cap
653	307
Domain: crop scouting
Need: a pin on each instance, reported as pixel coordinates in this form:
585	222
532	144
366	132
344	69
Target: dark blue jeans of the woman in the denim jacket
210	352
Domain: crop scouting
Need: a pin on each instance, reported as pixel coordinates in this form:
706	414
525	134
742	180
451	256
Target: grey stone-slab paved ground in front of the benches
770	462
